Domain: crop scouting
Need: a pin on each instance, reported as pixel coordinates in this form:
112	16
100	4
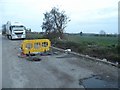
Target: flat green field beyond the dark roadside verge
94	40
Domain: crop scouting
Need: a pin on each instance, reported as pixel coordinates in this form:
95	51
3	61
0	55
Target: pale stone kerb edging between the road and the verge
87	57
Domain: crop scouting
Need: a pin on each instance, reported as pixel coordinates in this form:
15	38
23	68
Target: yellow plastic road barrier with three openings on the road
35	46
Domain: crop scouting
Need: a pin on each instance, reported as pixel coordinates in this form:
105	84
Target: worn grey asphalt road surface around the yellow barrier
53	71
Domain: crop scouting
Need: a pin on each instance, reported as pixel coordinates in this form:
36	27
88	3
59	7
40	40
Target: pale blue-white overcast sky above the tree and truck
89	16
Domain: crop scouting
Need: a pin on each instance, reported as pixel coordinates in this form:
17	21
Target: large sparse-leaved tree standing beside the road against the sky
54	23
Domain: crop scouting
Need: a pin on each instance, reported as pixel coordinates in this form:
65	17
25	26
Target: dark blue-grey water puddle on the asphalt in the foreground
97	82
